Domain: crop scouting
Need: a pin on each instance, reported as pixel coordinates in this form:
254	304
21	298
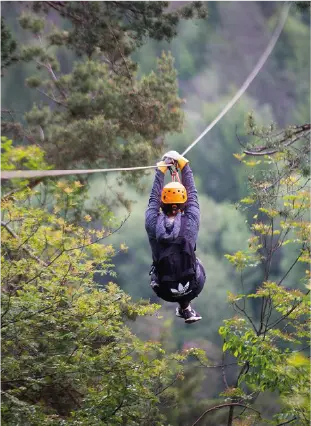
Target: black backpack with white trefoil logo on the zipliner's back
175	265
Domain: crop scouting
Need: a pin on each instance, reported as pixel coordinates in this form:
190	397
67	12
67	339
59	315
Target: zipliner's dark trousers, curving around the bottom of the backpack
165	294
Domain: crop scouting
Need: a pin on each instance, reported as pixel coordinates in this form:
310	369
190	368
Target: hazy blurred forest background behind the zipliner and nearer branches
213	56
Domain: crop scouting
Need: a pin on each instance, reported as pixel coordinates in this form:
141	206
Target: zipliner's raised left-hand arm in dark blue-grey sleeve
153	208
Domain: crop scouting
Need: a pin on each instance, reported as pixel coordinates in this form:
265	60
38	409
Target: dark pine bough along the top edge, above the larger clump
103	23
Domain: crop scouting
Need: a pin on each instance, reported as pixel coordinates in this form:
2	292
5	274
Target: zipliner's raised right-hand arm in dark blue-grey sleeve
192	208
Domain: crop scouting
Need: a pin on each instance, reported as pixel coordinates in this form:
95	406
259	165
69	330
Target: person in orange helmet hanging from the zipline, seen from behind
172	223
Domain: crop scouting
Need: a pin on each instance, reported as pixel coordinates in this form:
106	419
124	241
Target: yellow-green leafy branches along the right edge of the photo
271	343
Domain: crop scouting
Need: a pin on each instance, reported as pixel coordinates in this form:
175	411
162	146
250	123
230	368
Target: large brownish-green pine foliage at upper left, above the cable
101	112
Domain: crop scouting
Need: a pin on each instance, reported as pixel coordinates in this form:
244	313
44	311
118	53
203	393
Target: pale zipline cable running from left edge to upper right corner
11	174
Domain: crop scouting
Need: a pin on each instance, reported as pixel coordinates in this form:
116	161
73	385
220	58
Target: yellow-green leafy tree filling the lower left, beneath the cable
68	356
